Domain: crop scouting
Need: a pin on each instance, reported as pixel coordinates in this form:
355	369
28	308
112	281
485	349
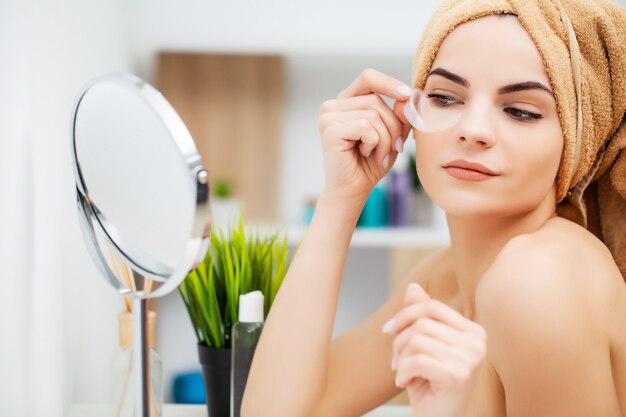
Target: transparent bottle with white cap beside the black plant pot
245	336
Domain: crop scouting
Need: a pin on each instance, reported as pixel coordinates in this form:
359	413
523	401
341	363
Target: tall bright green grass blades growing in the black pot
235	264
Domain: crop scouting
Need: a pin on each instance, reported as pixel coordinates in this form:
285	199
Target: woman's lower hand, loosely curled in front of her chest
437	354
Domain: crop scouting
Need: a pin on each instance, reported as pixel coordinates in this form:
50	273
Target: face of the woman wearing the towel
492	71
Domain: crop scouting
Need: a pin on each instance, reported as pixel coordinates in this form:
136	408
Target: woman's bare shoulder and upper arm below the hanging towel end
549	299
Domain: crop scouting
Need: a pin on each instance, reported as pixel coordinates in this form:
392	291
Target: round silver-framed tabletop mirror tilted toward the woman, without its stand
142	190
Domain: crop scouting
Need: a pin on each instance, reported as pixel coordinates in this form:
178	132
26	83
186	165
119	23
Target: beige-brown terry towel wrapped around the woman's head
591	181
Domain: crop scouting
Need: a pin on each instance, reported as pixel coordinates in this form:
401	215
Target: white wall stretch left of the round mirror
55	306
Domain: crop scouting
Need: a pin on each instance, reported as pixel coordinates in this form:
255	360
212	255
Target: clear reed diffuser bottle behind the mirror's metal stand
122	380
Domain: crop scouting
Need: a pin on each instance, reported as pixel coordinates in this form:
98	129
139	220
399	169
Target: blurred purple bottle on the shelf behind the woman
399	192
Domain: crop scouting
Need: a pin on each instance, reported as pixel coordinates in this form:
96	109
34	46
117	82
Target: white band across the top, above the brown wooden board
287	27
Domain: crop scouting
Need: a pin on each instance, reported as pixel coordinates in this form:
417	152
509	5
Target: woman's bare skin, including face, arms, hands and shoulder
546	292
